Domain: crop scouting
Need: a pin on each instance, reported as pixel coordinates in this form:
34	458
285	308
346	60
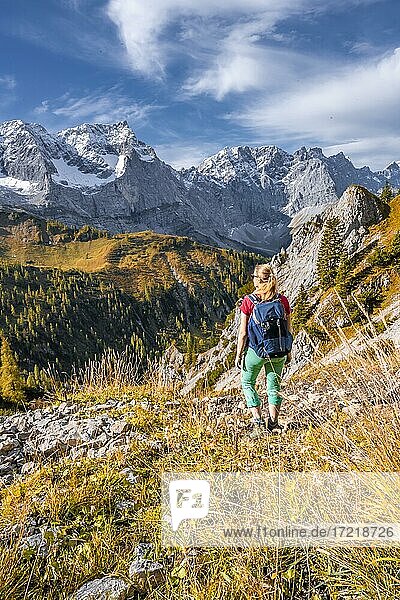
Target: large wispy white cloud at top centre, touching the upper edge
229	55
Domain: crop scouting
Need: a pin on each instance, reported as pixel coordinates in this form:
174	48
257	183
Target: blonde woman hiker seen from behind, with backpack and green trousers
264	340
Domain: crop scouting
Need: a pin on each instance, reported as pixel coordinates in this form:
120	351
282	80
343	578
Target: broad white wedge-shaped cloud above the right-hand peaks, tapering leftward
347	109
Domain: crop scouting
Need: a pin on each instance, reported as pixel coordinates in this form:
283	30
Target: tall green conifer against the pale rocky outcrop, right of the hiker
329	253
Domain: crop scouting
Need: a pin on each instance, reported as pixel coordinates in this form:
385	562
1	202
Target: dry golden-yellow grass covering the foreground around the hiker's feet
95	537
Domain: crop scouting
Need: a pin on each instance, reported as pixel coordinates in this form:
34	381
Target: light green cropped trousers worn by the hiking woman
252	365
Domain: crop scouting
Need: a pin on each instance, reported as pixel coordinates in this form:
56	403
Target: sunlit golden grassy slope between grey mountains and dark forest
134	261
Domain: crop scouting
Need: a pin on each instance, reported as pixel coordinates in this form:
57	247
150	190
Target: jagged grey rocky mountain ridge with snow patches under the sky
102	175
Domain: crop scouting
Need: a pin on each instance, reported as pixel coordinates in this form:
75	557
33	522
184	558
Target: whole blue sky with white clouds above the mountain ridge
193	76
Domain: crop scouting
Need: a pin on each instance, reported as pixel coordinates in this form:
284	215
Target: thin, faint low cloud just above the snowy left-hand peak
101	106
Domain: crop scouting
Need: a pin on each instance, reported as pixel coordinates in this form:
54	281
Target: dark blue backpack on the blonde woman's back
267	328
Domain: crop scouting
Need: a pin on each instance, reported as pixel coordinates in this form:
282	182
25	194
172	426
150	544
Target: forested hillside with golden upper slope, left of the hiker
66	295
